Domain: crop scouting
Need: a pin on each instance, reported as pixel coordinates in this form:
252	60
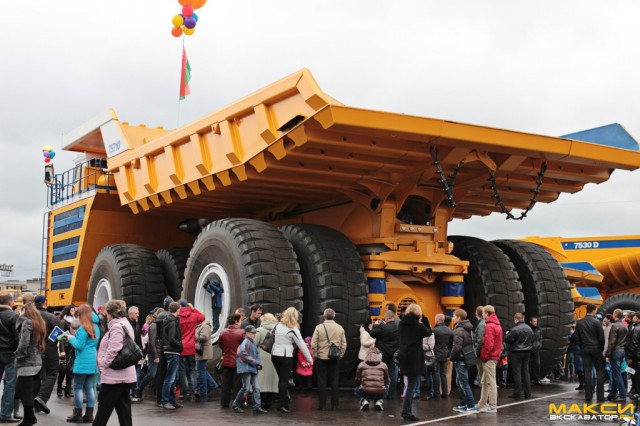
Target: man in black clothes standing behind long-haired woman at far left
49	372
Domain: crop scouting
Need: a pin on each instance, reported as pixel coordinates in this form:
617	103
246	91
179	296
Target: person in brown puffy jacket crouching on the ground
372	377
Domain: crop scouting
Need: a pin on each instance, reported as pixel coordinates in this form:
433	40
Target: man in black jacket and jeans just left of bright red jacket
172	347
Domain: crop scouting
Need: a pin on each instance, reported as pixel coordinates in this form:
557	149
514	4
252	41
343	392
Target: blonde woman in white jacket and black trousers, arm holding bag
287	334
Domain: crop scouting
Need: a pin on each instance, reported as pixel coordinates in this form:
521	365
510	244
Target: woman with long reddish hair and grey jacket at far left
28	358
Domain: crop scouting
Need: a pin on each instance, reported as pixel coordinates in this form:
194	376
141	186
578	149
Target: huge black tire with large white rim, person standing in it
252	260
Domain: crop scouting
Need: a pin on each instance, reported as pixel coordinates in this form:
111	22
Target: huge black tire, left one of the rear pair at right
491	279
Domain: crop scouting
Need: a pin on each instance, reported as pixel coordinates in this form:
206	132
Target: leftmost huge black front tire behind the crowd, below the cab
129	272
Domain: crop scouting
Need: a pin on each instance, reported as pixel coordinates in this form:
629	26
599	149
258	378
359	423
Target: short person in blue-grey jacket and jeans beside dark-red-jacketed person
247	365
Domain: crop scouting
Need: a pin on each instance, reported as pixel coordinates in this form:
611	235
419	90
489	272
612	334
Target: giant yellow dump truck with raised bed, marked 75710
290	198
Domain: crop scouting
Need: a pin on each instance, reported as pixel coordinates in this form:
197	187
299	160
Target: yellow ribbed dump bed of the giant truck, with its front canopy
290	148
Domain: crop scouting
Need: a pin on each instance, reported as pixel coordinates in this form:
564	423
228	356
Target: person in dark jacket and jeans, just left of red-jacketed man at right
462	338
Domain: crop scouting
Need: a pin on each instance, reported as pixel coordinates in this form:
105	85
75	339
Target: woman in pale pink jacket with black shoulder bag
115	384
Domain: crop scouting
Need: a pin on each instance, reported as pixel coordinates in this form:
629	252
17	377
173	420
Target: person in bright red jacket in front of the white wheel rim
189	318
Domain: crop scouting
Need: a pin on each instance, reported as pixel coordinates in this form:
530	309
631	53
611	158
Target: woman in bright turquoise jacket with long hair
85	344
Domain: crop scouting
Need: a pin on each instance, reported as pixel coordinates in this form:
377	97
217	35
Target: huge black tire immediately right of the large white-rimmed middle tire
332	277
